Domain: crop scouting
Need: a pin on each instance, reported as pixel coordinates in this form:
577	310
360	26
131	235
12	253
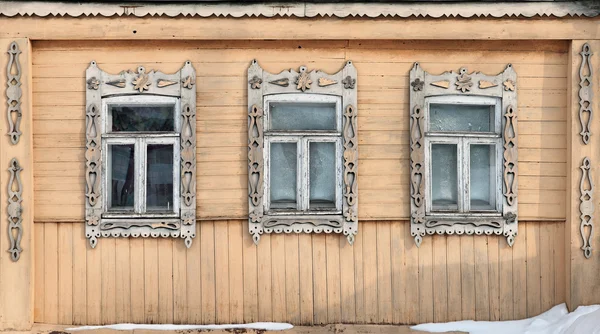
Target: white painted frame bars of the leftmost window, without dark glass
140	140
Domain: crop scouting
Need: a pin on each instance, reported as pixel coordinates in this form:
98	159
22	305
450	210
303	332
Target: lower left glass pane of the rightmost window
444	183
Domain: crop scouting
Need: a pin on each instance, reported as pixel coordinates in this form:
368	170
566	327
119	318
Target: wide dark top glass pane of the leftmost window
142	118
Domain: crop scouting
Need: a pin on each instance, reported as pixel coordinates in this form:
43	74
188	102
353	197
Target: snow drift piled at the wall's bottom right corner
557	320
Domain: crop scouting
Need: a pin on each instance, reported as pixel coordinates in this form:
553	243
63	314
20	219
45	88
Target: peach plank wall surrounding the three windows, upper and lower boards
303	279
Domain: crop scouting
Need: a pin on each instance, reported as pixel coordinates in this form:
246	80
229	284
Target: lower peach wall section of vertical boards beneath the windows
302	279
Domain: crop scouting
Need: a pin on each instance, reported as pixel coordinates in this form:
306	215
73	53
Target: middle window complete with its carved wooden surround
302	150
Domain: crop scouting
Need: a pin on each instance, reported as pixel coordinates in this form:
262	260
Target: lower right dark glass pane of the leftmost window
159	178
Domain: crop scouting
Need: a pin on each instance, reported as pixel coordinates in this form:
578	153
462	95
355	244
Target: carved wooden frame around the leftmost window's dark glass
141	86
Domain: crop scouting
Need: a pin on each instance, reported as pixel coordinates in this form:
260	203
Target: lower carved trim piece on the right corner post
586	207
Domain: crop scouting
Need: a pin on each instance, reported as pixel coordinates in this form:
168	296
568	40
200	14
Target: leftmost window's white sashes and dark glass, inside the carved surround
152	172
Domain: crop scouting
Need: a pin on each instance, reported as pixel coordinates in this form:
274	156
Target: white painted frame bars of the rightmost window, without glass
463	140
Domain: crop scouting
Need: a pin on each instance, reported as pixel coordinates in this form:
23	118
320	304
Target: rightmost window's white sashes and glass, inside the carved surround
463	155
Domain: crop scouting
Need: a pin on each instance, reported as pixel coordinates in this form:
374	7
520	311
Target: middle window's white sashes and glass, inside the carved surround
304	164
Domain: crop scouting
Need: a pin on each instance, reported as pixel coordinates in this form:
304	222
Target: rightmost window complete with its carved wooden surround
463	153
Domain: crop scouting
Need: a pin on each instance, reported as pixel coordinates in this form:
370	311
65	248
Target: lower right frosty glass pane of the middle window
322	175
